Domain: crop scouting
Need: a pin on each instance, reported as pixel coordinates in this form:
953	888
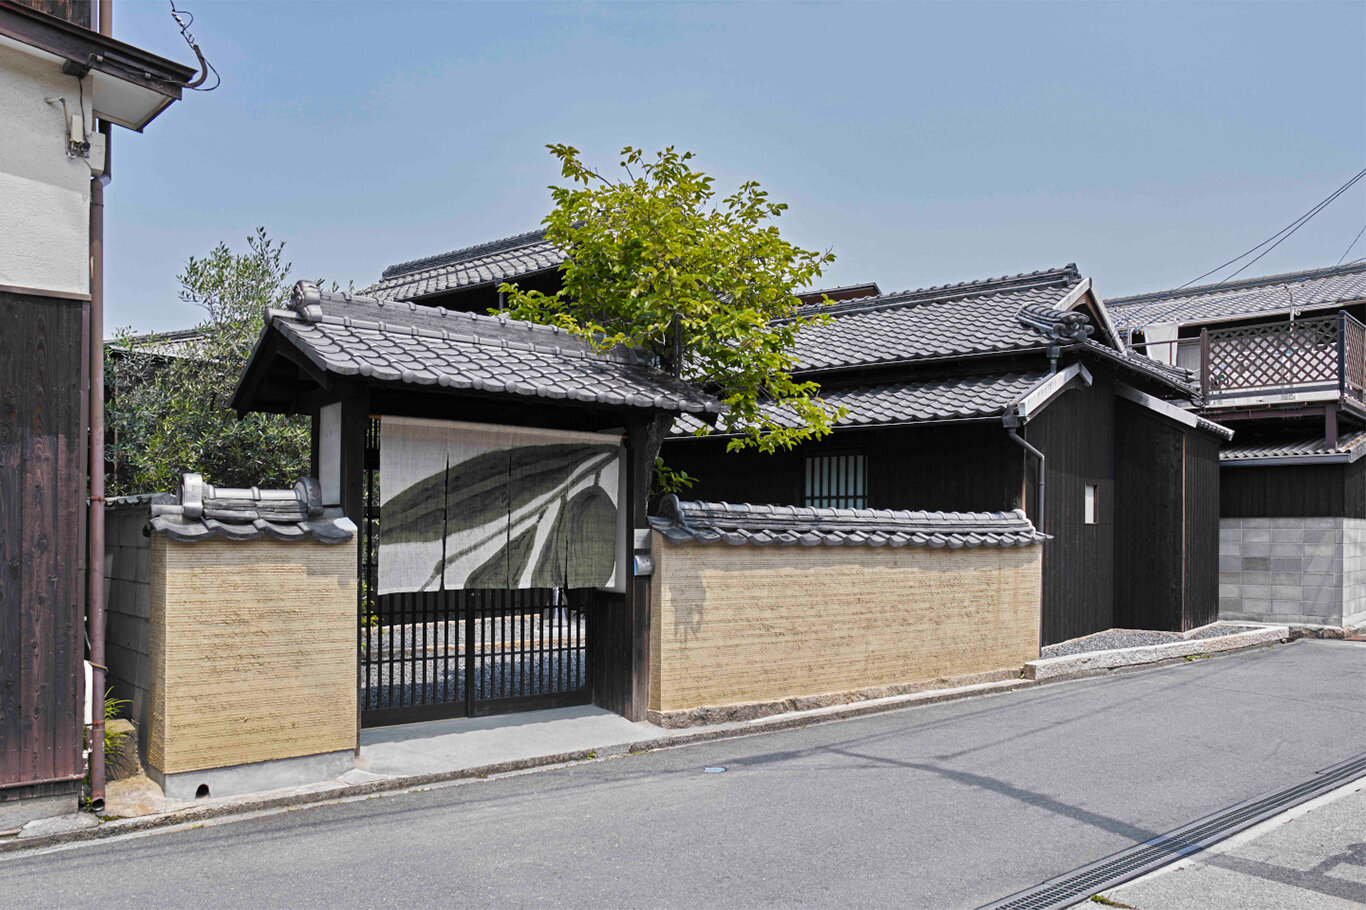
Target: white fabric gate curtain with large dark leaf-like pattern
469	506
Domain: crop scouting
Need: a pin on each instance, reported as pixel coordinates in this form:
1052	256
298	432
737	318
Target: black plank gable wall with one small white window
1077	435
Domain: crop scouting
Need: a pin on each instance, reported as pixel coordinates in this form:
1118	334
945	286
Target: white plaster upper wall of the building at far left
44	195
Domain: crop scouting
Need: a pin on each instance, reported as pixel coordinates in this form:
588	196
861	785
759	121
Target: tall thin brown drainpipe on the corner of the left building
96	401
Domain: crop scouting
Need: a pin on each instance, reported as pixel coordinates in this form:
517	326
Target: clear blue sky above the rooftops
923	143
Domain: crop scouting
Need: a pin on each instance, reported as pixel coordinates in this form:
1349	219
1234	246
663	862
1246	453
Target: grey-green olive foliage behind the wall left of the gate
169	401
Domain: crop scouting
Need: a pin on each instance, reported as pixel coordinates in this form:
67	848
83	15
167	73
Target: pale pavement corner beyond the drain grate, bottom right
1312	857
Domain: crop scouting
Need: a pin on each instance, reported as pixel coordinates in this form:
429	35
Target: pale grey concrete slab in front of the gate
439	747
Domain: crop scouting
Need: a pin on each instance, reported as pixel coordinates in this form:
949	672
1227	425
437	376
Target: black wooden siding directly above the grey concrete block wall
1294	491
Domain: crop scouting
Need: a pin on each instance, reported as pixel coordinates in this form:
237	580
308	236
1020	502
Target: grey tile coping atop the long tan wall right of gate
794	525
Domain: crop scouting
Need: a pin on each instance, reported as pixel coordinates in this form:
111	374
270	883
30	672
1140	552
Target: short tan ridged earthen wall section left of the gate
253	652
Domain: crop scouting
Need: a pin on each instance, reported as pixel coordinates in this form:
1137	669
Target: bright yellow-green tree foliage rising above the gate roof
703	286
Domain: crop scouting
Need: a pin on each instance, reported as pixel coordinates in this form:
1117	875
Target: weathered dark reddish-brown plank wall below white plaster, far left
42	529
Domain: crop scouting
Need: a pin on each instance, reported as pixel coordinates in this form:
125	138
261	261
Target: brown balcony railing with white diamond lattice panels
1286	360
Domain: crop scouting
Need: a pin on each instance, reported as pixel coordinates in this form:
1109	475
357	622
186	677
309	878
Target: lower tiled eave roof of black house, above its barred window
917	402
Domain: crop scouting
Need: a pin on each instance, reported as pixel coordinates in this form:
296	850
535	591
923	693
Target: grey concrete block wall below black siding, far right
1293	570
